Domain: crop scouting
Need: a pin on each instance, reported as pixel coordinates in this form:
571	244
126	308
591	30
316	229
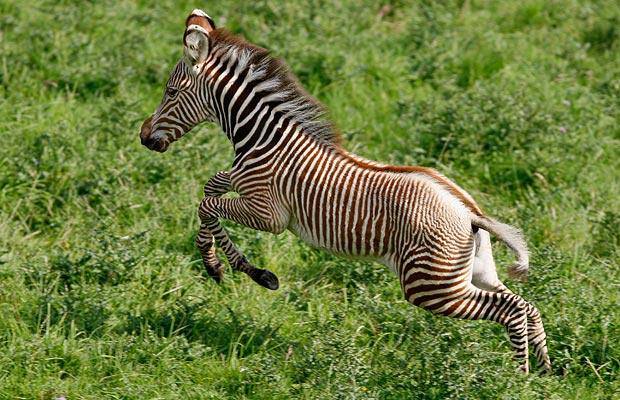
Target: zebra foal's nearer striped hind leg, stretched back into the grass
472	303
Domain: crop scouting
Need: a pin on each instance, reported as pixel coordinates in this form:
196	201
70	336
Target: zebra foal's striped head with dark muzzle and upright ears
185	103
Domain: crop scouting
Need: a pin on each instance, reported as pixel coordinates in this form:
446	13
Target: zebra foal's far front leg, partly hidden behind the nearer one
216	186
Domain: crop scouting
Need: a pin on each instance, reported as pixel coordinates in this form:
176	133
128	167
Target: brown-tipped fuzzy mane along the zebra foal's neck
278	82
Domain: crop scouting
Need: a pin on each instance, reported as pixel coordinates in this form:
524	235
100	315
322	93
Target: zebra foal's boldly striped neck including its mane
258	103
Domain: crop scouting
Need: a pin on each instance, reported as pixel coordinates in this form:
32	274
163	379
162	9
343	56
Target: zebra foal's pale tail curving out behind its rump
513	238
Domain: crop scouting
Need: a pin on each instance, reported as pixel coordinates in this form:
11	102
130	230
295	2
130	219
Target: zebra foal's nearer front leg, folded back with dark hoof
252	213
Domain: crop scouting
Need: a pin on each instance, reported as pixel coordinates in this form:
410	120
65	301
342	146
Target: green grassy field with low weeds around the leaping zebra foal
102	293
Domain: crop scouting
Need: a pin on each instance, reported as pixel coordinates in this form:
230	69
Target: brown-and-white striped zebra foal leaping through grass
291	171
